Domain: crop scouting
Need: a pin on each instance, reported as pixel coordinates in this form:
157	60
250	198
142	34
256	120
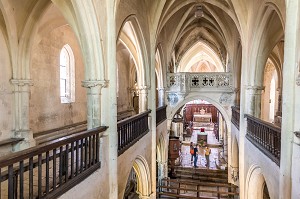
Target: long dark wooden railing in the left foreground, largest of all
49	170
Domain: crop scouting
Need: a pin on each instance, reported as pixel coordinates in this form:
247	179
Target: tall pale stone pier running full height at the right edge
289	167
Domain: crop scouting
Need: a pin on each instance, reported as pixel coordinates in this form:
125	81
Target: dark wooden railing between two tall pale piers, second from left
131	130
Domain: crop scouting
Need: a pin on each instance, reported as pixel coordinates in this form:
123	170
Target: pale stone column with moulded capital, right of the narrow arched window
94	102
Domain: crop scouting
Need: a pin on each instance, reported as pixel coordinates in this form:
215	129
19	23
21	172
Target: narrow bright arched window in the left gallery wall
67	75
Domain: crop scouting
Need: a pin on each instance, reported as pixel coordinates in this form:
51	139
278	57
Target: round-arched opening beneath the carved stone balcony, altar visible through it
205	125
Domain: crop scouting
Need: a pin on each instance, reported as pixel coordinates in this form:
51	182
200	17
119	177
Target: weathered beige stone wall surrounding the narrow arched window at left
46	109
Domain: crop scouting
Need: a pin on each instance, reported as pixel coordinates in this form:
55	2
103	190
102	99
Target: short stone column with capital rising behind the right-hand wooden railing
254	103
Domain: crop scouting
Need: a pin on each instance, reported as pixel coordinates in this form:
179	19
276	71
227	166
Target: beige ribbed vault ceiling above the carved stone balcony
216	27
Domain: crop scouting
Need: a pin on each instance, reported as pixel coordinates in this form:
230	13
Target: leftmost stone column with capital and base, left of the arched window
21	91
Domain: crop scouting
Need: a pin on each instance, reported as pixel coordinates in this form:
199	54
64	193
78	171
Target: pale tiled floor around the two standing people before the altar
185	151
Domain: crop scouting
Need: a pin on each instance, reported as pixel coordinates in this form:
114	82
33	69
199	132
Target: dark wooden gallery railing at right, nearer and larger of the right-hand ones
265	136
